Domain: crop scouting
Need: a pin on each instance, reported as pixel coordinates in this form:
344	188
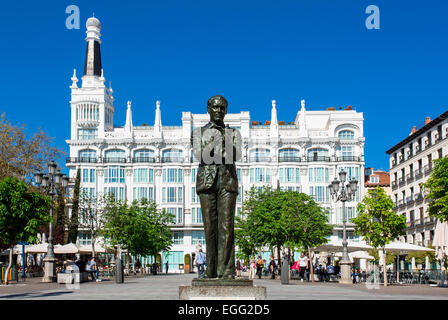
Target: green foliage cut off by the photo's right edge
437	187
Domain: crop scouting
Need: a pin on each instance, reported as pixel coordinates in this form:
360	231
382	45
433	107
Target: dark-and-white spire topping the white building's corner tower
92	65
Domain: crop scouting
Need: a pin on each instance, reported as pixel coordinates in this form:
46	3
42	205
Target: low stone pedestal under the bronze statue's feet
220	289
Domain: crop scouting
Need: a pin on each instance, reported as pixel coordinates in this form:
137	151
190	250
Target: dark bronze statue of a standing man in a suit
217	147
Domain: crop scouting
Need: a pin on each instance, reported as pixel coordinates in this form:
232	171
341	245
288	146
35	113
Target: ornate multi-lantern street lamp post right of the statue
347	193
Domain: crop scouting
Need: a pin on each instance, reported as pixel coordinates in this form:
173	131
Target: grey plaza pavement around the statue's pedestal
166	287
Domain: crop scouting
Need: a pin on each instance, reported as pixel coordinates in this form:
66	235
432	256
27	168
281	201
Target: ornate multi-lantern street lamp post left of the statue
50	182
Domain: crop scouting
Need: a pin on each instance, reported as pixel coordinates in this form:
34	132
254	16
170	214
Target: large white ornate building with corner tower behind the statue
156	161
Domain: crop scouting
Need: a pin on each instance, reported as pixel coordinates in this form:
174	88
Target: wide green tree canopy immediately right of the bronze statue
275	218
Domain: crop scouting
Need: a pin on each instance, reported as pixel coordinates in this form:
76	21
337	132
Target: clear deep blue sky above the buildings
183	52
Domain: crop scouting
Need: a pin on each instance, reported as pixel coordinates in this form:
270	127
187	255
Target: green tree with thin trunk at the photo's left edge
22	212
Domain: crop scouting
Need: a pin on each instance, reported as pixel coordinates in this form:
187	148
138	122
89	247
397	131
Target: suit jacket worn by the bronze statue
207	173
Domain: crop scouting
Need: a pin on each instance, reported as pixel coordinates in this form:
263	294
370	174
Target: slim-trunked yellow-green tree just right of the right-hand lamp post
377	222
